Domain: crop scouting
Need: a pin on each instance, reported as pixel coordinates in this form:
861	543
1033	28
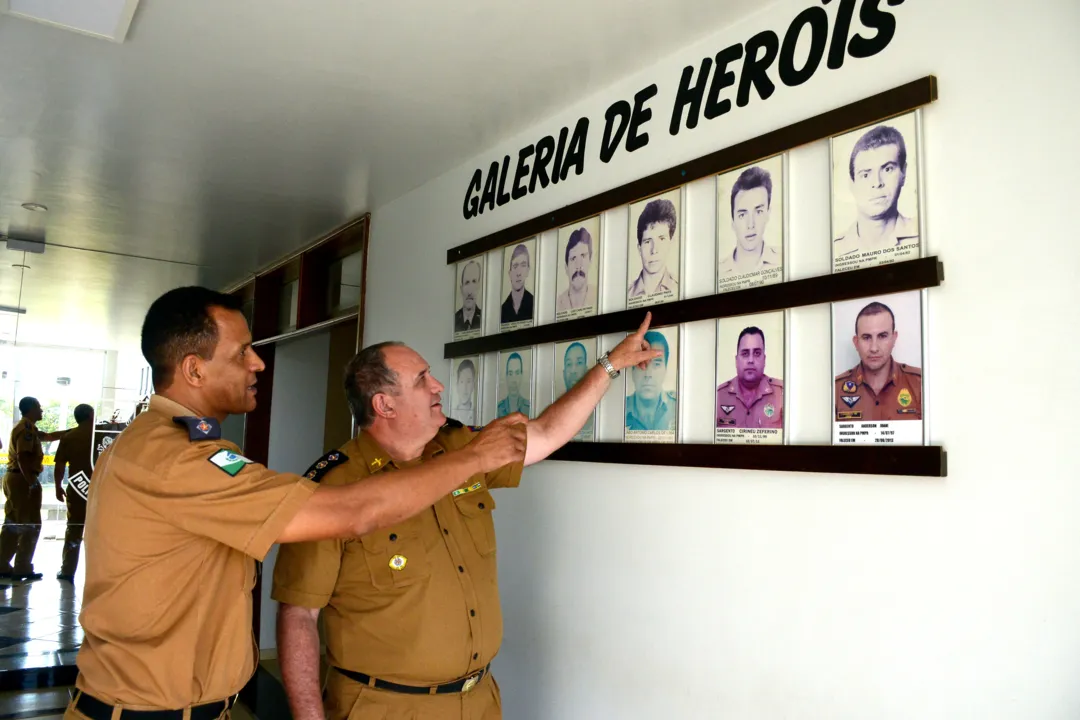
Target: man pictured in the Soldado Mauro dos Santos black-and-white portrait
879	168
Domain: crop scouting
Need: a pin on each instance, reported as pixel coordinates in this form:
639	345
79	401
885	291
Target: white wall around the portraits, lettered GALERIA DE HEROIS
643	593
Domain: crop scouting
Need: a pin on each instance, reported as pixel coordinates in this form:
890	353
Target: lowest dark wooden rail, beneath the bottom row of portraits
917	461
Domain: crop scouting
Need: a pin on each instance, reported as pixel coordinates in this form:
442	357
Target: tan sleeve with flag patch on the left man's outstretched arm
214	492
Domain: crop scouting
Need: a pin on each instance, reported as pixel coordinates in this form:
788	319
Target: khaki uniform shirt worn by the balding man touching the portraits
416	604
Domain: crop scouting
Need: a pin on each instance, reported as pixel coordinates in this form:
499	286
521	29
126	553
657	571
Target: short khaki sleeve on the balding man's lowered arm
305	575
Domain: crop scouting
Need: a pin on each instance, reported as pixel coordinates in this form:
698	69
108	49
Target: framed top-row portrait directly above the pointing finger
654	253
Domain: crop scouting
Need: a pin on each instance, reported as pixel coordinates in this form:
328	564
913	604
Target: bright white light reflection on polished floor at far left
39	621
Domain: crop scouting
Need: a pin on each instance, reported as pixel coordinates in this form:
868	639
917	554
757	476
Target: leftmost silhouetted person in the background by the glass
22	522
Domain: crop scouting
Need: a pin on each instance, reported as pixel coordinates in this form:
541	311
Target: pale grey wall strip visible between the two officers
298	418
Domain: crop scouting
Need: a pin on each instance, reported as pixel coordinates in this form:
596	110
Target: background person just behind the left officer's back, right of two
75	452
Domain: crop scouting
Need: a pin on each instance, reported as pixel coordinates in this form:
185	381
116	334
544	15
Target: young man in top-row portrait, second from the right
751	208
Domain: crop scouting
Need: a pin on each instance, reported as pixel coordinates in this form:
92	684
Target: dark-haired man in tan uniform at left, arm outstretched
178	517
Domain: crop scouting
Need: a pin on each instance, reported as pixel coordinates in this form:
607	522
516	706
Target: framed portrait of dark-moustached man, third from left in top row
577	278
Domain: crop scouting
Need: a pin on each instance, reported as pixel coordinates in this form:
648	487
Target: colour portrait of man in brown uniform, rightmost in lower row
877	363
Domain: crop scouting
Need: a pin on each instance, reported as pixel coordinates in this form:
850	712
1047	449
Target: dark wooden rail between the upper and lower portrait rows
883	280
